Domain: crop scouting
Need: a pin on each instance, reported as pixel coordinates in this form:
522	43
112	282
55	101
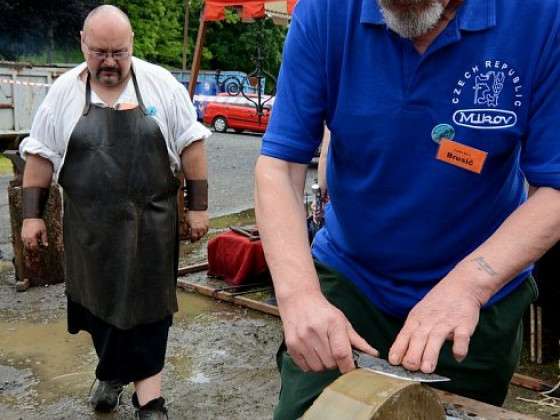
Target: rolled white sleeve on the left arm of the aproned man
42	140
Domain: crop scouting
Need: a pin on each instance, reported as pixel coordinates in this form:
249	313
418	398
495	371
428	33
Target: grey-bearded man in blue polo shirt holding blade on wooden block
440	112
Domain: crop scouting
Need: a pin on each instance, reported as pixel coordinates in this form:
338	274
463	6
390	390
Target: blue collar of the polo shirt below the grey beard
474	15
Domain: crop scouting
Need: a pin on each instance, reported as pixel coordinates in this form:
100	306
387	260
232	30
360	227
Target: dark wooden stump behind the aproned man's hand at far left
45	266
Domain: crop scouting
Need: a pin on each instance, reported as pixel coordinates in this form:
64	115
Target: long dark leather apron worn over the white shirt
120	222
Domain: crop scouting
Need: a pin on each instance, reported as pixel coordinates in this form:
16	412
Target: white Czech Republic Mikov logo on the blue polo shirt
492	86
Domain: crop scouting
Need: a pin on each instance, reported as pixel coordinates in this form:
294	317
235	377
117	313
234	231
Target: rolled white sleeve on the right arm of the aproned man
184	127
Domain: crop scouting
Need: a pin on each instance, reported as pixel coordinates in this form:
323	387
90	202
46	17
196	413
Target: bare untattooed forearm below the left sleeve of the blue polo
281	221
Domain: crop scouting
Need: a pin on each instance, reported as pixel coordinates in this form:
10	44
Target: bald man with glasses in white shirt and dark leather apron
114	132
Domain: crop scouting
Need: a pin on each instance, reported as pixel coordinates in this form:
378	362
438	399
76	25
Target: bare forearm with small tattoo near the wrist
521	240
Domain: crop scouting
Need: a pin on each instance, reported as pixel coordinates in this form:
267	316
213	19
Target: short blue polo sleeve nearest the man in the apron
296	125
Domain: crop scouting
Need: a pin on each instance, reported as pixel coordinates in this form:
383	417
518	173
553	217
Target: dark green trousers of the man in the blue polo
484	375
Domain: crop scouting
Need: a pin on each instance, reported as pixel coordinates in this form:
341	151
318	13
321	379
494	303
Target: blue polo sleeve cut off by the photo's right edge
540	156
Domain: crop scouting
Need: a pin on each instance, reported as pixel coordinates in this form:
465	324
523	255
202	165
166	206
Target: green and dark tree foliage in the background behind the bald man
48	32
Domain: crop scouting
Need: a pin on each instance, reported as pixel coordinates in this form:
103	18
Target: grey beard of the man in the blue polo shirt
411	24
